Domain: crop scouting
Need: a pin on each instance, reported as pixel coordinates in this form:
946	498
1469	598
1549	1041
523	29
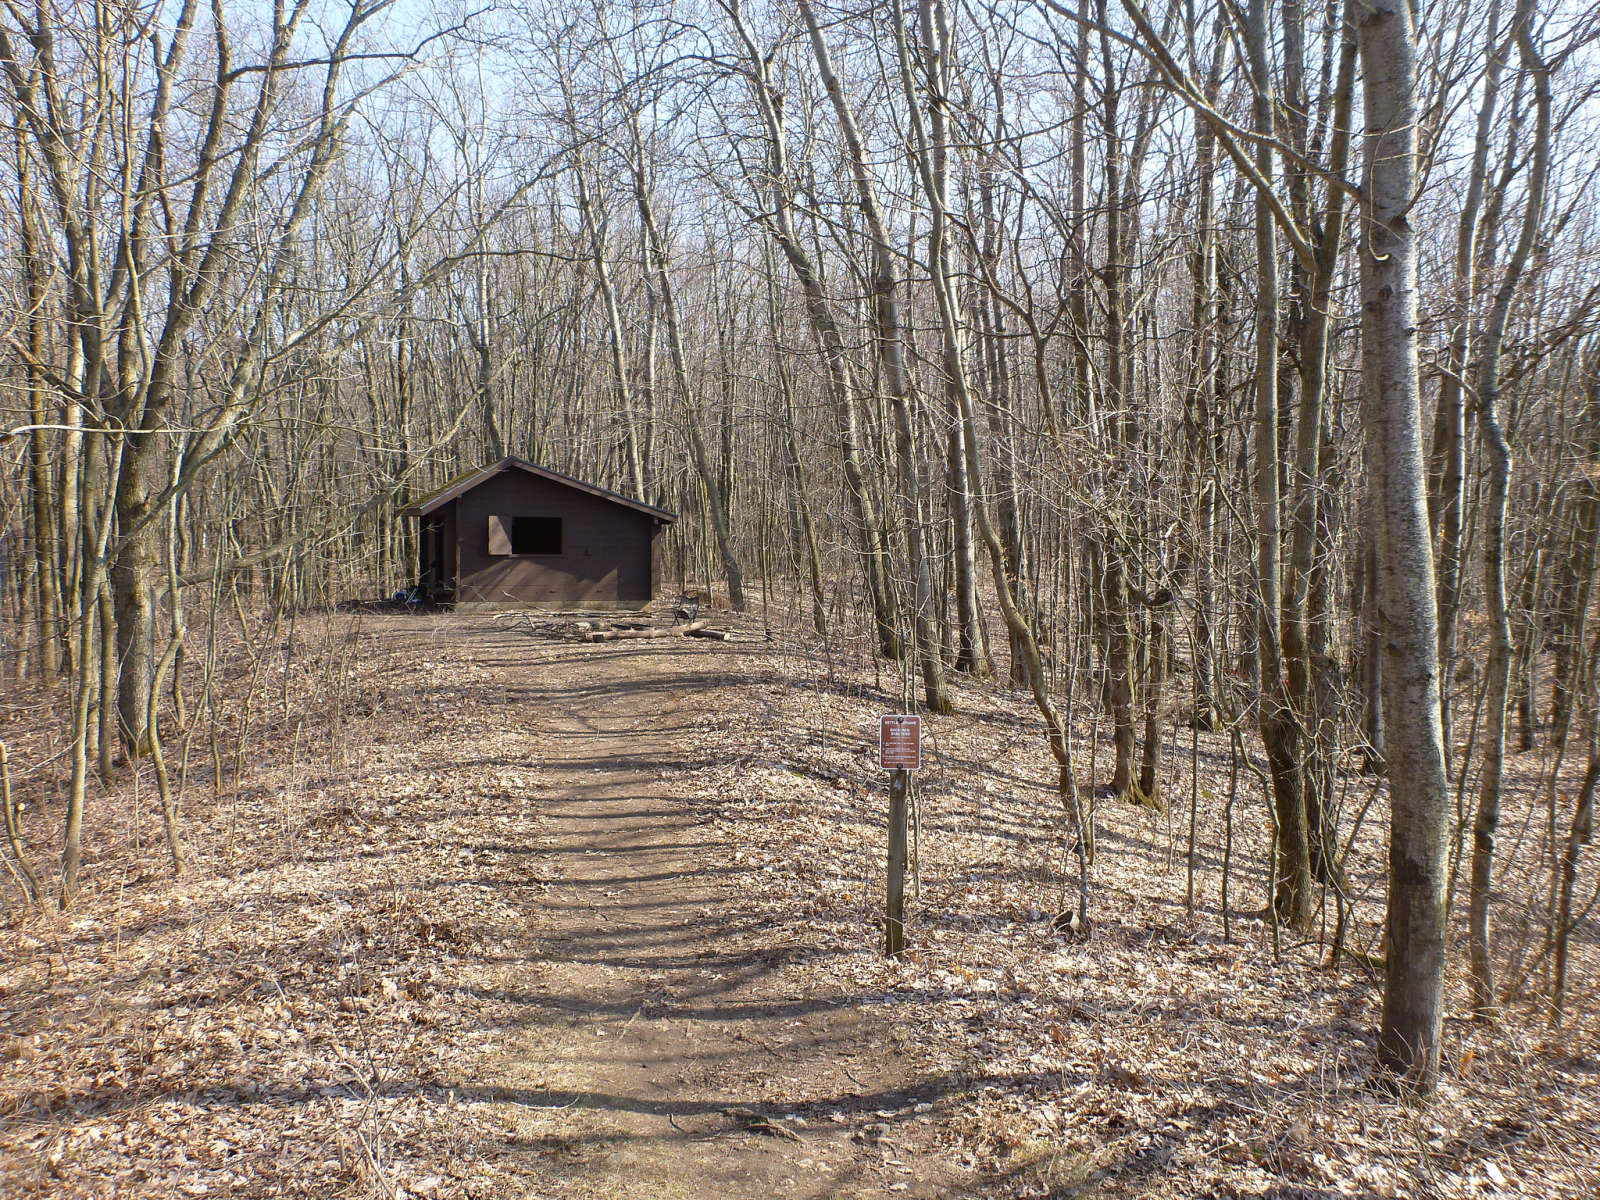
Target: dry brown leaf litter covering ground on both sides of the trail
298	1012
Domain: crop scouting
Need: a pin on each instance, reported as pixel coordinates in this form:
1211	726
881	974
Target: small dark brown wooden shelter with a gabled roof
519	535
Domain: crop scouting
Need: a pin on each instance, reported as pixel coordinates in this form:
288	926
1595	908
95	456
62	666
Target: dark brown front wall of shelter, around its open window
606	548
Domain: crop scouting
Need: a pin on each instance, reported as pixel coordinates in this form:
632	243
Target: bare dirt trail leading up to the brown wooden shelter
647	1020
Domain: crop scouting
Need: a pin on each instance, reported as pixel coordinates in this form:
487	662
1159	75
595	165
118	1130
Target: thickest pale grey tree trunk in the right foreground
1407	607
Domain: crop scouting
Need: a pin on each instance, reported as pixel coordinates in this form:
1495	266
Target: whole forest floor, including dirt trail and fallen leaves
490	916
